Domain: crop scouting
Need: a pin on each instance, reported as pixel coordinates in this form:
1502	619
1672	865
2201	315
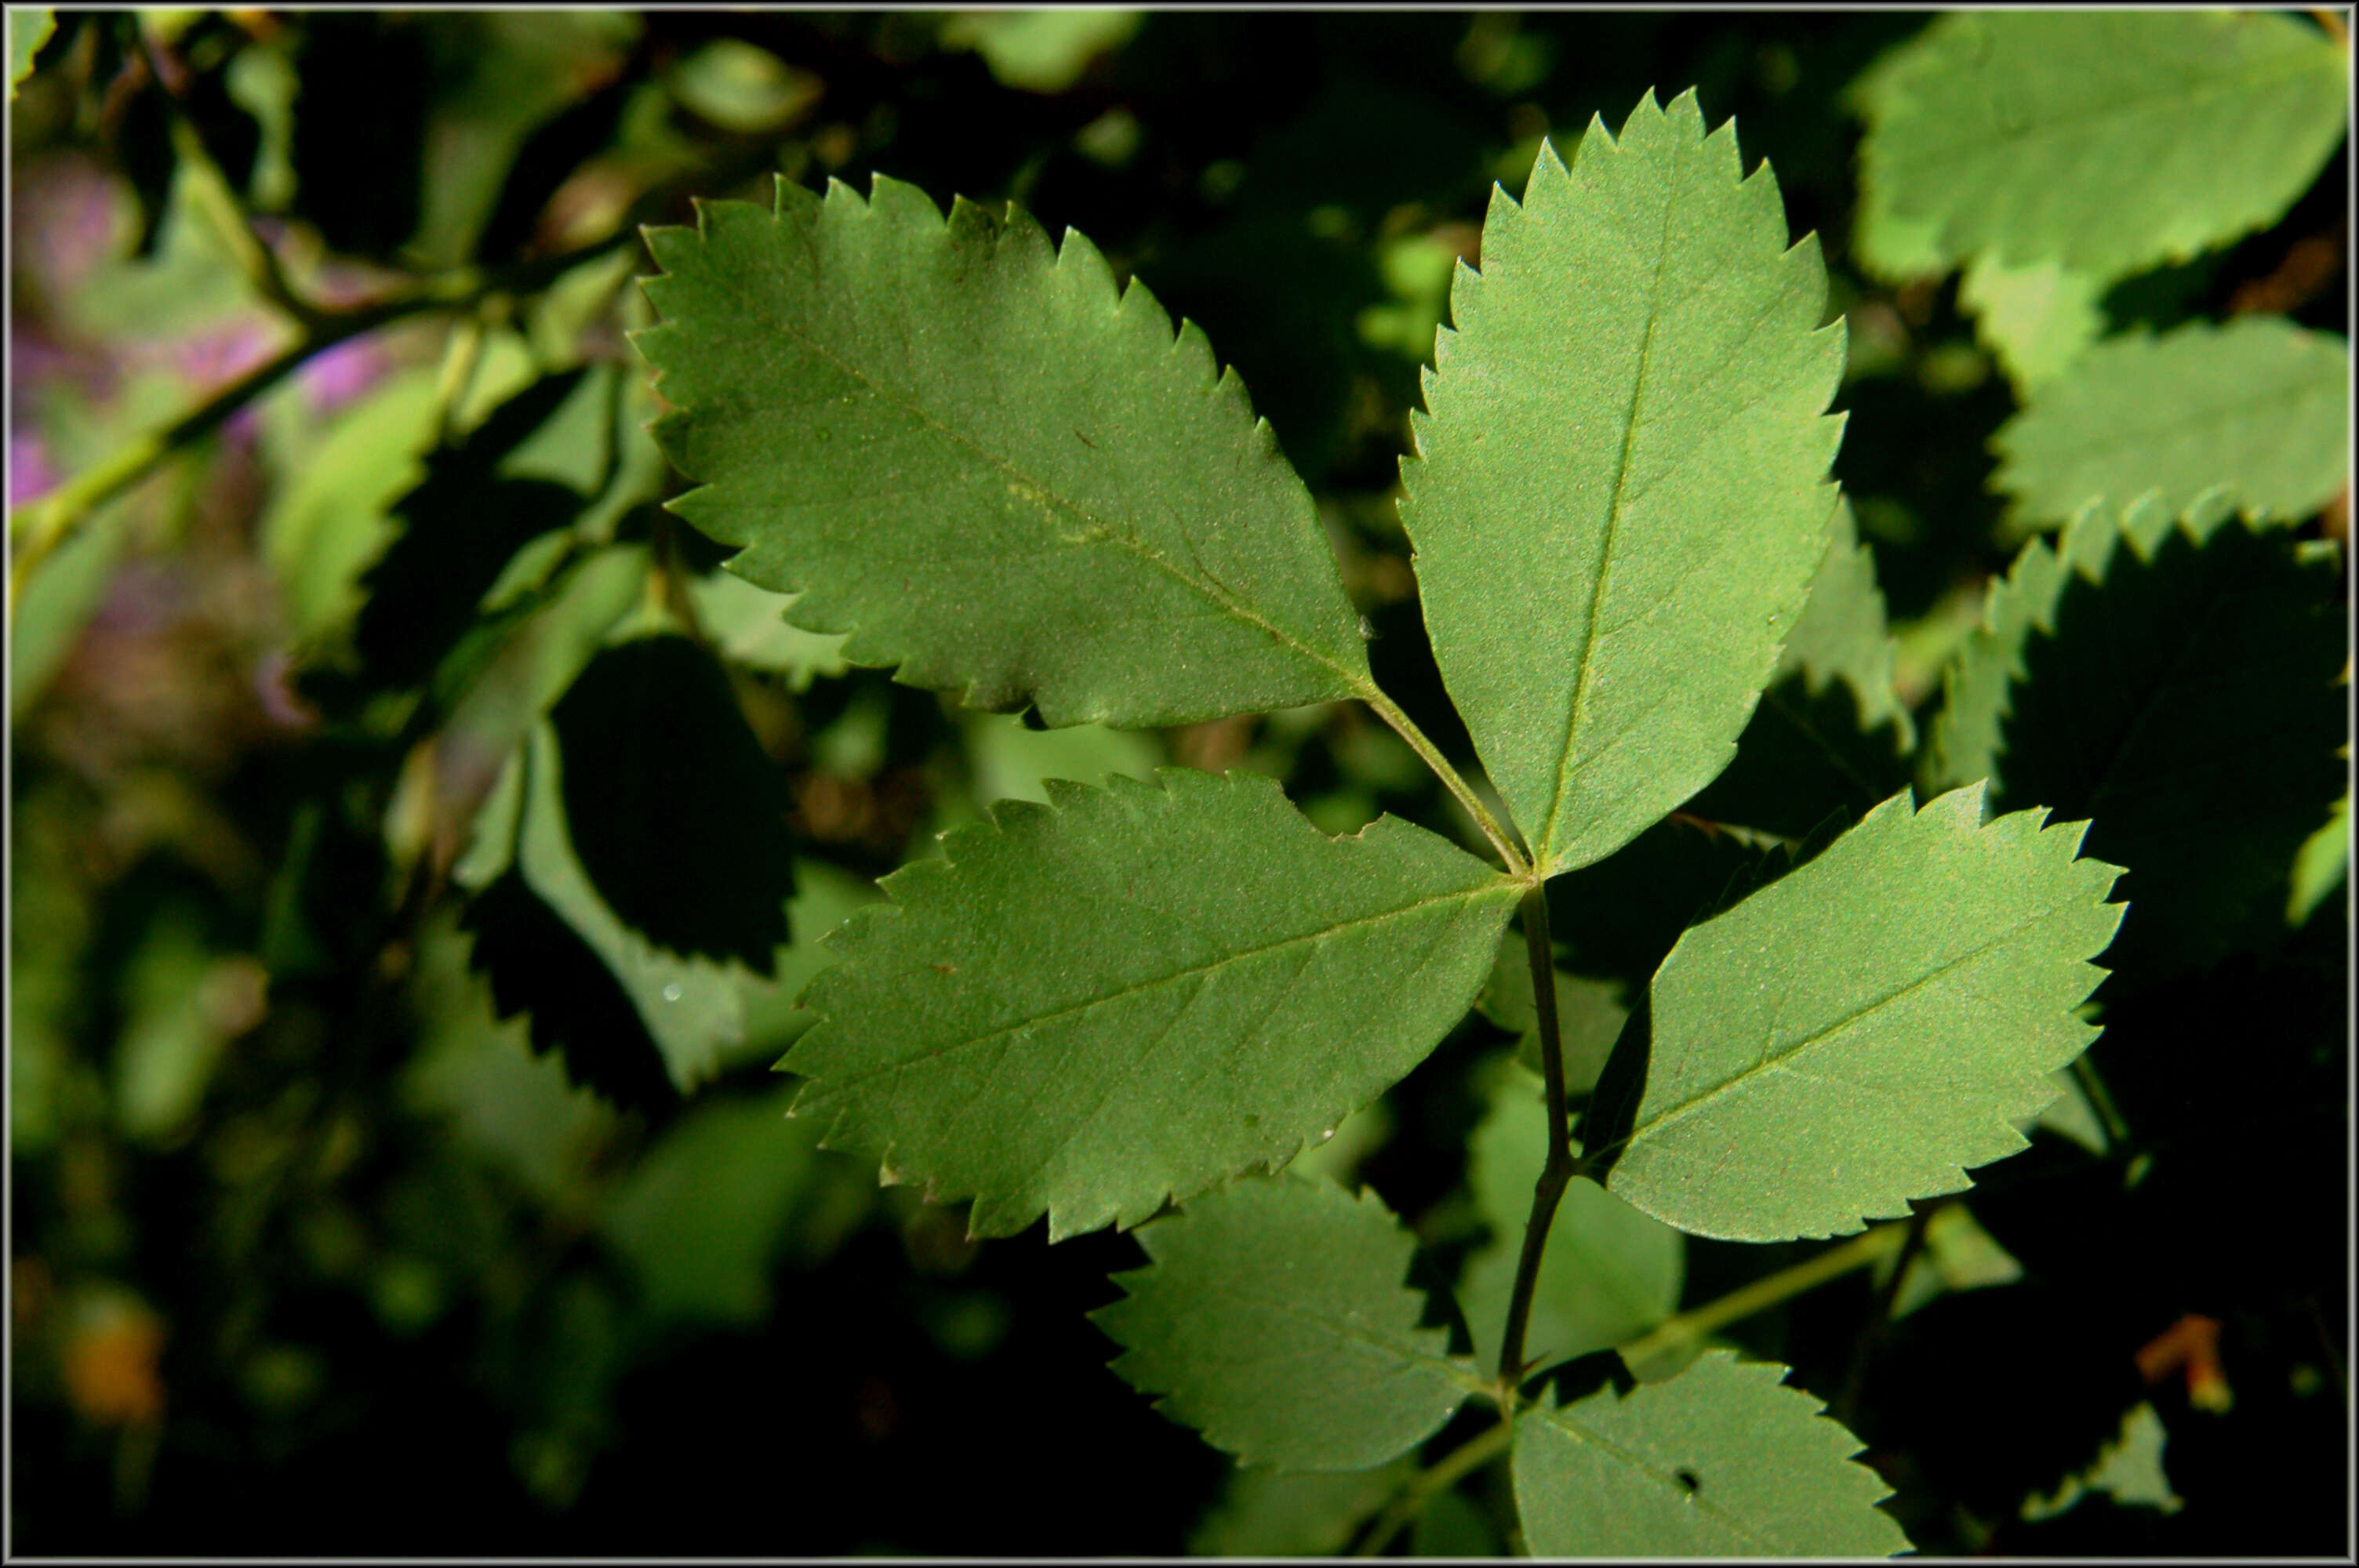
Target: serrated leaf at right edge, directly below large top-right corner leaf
2256	407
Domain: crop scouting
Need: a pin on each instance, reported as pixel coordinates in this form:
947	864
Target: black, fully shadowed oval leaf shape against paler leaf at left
652	737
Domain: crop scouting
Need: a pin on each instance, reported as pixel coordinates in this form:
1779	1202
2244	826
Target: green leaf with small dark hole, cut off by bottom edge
1719	1461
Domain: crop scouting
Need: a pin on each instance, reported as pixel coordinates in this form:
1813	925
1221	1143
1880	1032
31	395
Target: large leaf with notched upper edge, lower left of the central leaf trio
1136	994
